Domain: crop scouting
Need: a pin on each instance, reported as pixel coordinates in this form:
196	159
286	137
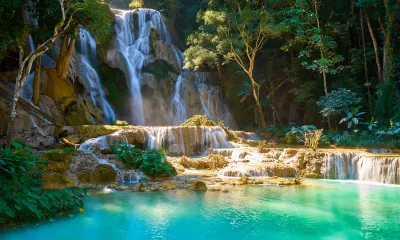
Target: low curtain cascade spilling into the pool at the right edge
351	166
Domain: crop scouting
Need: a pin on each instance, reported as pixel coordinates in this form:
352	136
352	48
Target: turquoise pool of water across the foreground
333	210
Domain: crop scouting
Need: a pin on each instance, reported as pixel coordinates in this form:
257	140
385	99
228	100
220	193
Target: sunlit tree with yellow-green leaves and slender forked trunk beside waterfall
237	31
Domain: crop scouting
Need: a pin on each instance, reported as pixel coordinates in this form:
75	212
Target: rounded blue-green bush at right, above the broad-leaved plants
337	102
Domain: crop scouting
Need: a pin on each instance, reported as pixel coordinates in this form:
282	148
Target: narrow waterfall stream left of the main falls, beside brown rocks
91	80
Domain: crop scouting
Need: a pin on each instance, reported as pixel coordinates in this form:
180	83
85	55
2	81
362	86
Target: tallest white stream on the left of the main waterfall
133	47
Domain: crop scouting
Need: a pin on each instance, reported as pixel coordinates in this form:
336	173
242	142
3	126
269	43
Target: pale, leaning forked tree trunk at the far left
25	63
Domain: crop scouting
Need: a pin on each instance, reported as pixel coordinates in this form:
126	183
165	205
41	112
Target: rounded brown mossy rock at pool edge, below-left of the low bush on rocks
103	173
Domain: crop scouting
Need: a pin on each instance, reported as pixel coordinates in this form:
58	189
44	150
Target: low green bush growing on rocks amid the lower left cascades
151	162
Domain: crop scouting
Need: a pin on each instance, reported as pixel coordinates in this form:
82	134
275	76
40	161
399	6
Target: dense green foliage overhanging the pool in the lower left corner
22	197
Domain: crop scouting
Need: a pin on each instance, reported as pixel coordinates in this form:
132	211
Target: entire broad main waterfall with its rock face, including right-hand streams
135	48
